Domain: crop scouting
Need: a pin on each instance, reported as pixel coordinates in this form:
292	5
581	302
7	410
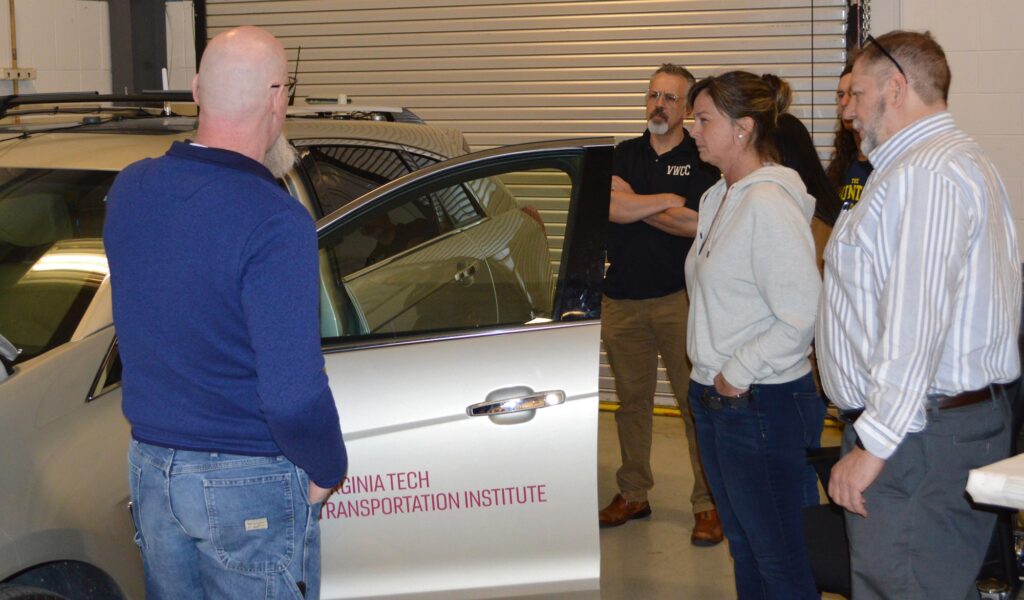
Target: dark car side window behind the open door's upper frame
342	174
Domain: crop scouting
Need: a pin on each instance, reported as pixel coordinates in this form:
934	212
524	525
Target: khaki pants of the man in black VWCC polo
635	332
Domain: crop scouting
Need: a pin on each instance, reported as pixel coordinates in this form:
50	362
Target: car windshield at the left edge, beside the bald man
52	253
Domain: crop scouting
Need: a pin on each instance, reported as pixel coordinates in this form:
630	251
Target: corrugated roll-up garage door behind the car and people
514	71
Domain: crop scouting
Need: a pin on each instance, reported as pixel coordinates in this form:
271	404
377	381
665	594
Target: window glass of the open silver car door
495	262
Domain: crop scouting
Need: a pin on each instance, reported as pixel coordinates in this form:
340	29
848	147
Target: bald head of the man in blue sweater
238	69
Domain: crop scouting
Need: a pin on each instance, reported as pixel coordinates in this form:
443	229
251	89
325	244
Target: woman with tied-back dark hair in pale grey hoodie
754	290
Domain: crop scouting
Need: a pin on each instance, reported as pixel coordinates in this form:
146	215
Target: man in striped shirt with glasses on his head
918	329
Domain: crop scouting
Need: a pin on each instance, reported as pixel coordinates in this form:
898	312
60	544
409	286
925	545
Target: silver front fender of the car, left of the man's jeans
62	499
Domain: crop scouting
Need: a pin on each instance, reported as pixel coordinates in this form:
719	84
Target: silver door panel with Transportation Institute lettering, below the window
404	411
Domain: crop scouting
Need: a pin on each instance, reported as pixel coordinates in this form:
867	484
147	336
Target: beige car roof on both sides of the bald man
113	150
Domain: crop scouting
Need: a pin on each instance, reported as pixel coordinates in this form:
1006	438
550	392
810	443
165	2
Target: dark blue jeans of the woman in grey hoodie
755	460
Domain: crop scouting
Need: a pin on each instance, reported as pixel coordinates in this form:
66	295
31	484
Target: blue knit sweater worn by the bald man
216	282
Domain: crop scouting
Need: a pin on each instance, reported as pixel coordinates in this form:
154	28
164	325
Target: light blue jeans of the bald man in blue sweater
218	526
